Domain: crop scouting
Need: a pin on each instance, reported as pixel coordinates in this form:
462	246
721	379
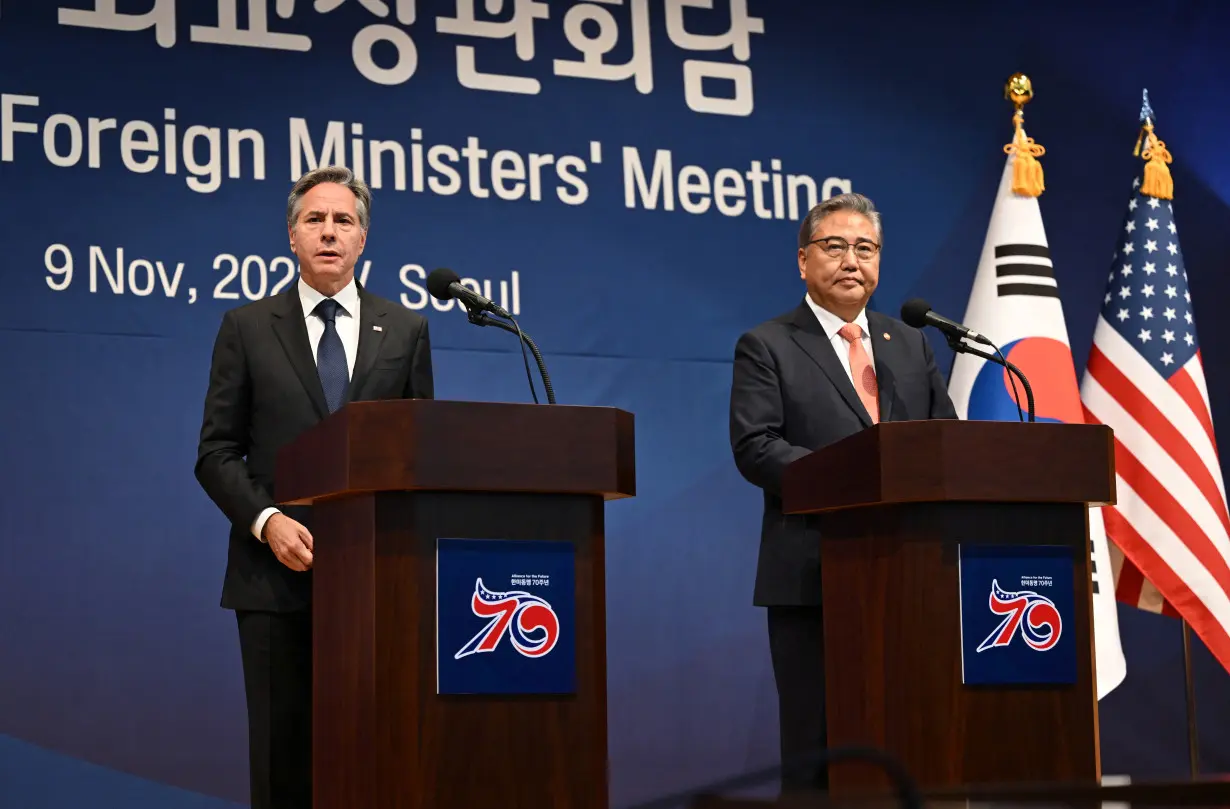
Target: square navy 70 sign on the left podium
505	617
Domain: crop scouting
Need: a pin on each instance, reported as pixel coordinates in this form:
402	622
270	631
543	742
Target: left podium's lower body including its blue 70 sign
511	732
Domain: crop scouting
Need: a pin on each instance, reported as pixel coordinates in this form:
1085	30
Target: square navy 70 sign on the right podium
1015	603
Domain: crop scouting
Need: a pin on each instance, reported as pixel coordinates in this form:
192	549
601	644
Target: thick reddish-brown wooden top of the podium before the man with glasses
946	460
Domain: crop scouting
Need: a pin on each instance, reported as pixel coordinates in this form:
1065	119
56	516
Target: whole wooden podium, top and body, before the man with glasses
896	507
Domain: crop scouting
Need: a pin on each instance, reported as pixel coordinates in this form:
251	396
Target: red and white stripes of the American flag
1172	521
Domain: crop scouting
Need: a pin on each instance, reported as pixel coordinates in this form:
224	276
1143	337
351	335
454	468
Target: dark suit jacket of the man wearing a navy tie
264	392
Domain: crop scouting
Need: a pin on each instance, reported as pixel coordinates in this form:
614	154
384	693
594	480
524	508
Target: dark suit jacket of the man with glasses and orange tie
790	397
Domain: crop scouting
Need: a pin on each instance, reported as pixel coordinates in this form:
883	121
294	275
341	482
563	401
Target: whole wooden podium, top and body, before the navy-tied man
389	479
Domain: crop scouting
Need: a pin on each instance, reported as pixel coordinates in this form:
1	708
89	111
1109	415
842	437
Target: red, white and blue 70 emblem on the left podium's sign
527	620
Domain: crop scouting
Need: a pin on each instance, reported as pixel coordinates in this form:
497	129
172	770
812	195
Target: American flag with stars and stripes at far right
1146	381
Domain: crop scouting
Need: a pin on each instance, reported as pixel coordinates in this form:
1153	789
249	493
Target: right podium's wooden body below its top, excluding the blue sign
892	624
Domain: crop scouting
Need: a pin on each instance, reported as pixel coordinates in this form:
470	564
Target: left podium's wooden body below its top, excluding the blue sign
382	736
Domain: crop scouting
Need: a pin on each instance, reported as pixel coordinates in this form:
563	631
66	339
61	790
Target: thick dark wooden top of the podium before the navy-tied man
461	447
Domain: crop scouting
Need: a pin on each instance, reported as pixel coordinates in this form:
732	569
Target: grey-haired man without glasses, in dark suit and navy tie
281	366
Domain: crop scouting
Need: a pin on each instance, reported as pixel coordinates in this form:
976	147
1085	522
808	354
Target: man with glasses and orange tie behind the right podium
806	379
